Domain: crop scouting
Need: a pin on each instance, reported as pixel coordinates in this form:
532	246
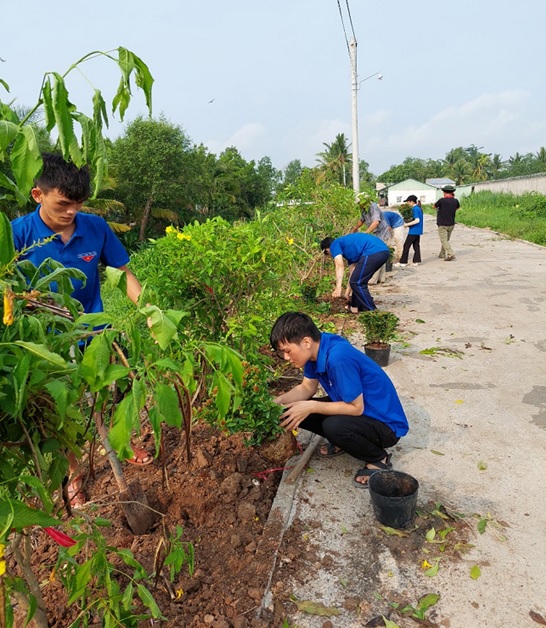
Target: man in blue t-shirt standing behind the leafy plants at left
82	241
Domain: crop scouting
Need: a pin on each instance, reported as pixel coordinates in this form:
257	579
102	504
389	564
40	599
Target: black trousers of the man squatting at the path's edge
362	437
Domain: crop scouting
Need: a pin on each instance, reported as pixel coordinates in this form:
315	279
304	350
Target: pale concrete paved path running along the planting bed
477	443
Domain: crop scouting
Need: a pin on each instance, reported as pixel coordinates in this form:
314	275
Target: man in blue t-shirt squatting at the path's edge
361	415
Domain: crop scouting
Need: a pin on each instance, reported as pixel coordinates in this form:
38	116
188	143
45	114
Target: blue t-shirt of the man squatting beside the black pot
345	373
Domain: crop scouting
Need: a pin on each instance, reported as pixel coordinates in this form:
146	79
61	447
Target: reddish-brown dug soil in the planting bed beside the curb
221	499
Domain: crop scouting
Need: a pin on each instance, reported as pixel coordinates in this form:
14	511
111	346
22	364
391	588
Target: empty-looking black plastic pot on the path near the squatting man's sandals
394	498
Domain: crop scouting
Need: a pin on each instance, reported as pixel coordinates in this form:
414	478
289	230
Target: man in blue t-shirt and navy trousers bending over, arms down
365	254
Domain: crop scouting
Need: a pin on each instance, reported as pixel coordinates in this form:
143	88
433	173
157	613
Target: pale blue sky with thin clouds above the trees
456	72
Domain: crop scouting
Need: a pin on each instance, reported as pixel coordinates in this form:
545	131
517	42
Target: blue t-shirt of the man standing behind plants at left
93	241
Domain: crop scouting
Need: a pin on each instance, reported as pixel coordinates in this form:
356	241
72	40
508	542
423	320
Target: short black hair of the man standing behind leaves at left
64	176
